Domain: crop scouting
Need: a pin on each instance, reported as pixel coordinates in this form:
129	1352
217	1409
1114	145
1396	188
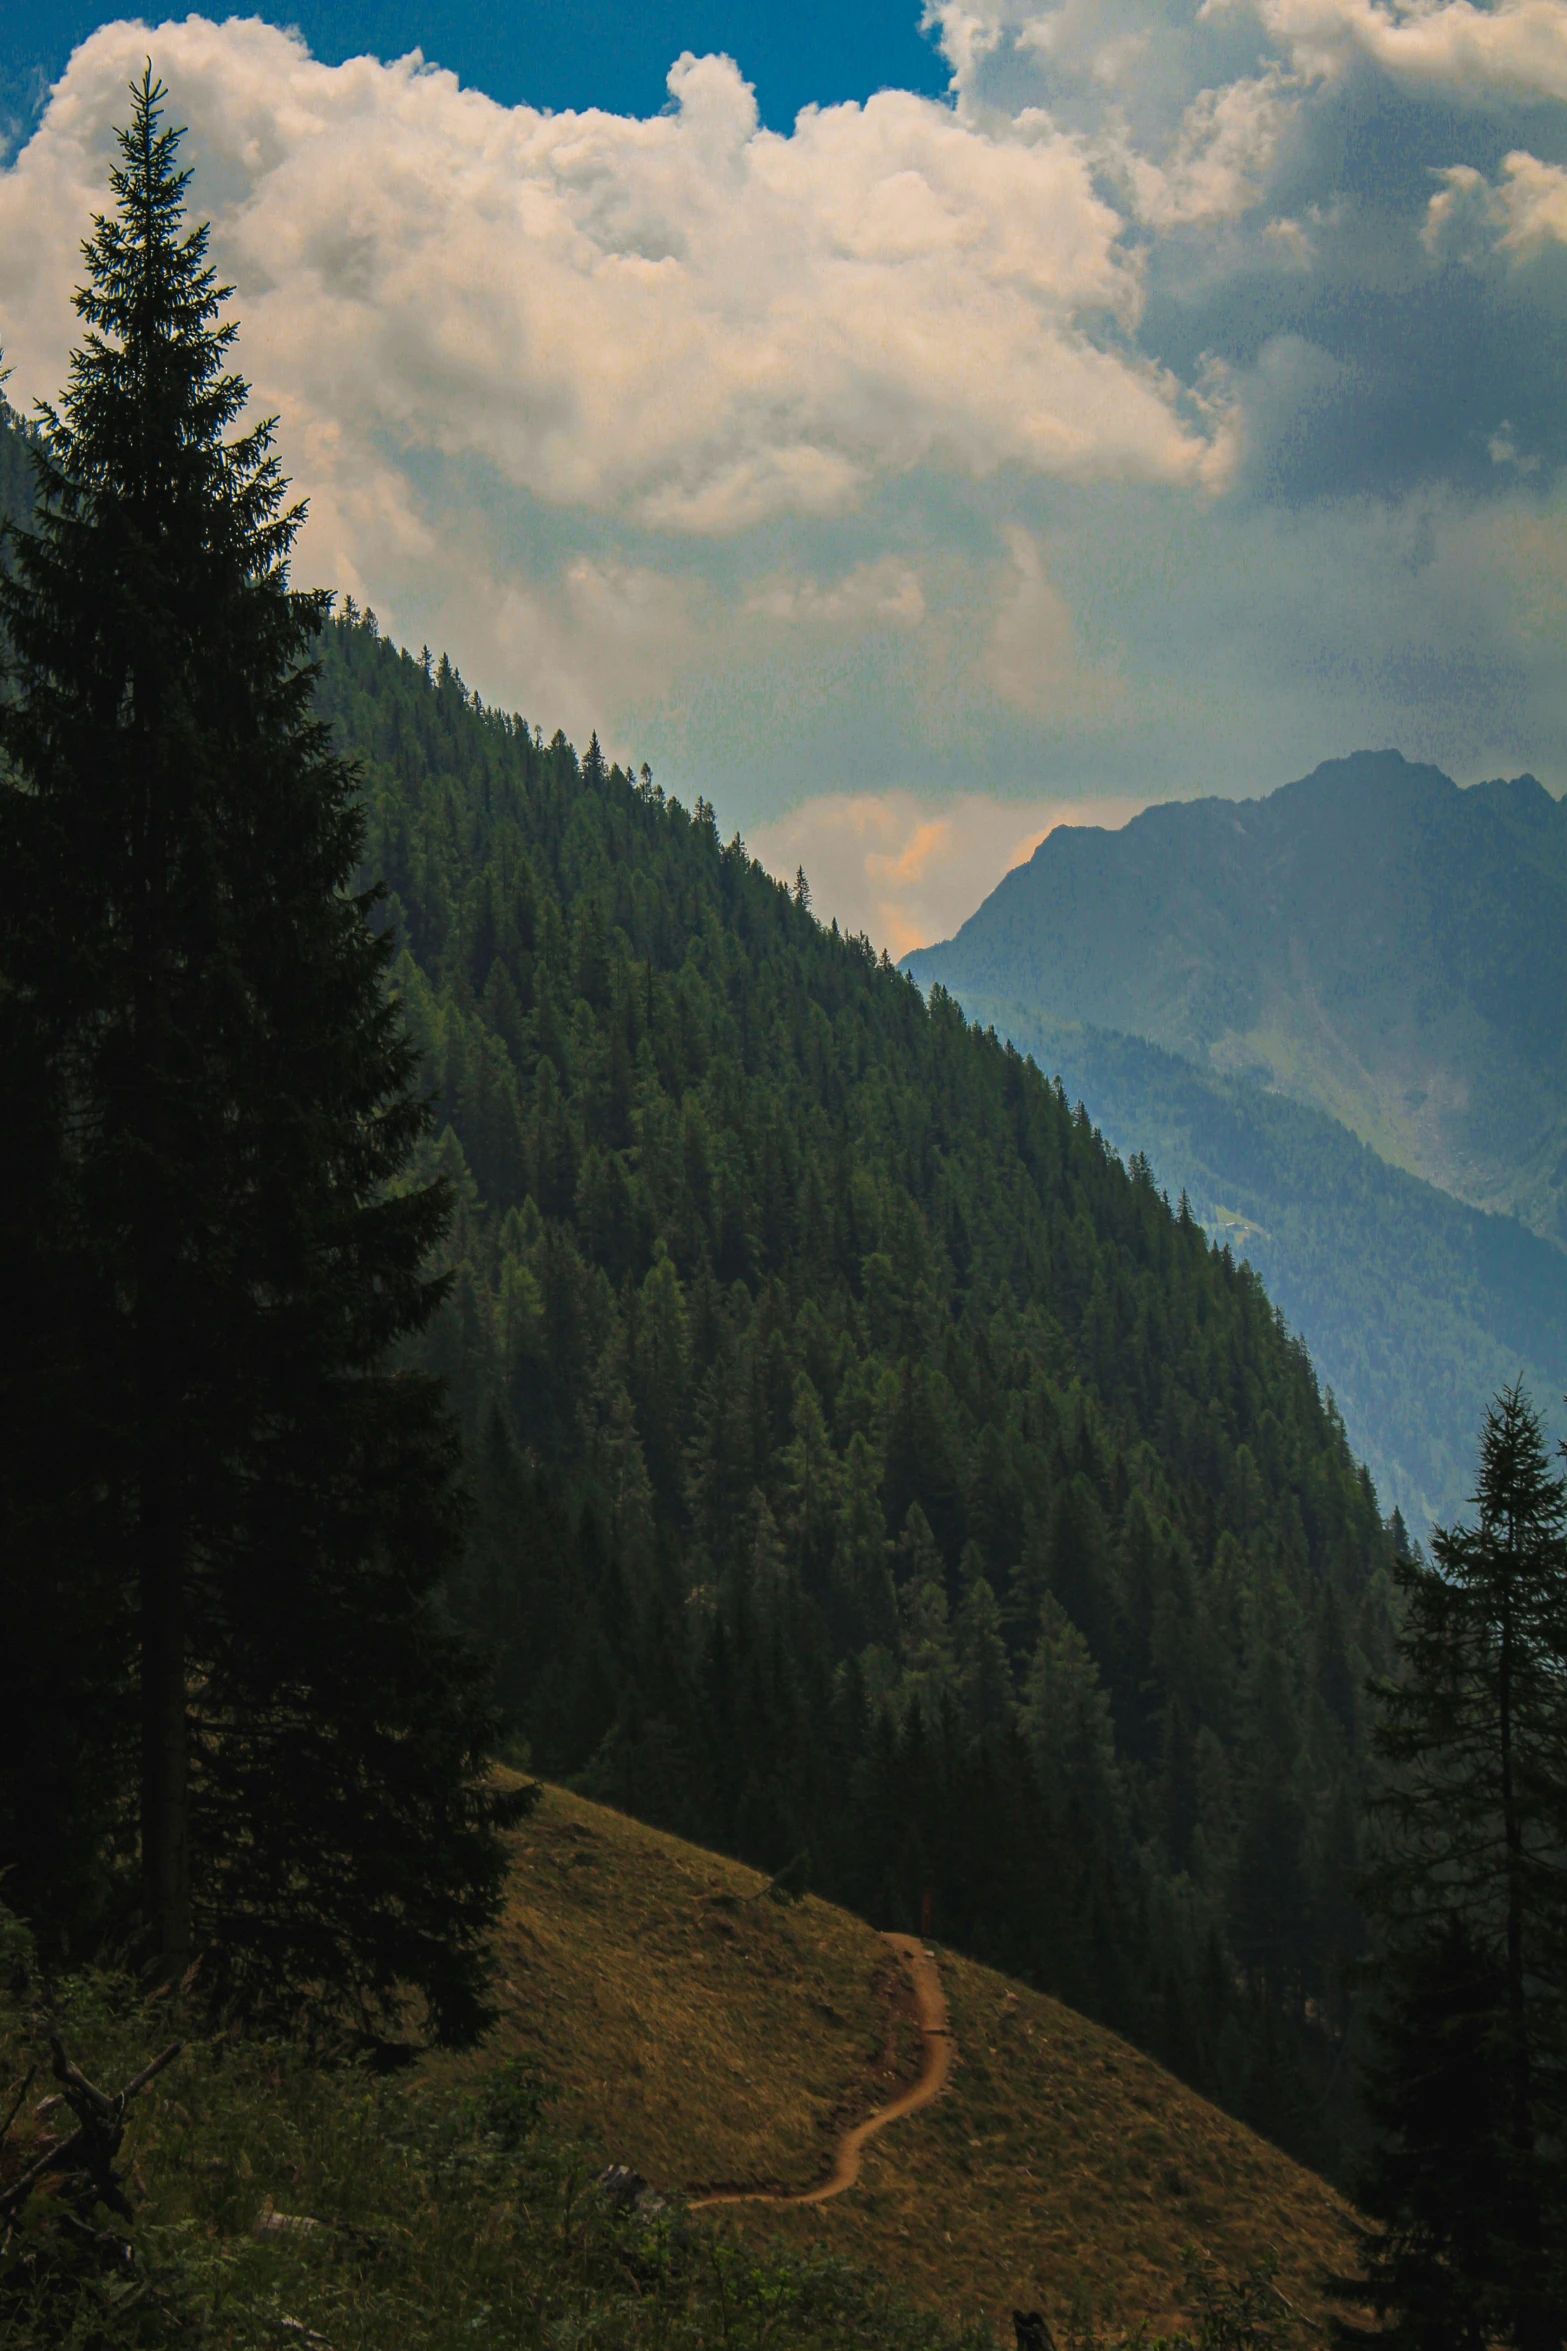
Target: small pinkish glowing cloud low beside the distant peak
908	871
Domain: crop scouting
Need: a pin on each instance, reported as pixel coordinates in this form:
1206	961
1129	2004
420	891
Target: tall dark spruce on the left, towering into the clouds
227	1511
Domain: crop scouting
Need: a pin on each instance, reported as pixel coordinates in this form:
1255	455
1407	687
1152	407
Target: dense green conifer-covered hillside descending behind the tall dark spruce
868	1466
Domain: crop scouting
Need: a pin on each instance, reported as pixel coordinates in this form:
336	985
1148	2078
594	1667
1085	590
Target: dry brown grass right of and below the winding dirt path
1063	2171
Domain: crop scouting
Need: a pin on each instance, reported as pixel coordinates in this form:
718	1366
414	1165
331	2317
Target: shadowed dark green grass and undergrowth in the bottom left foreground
281	2199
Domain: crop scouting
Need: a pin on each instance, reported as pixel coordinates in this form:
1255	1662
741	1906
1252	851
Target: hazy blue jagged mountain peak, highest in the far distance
1371	939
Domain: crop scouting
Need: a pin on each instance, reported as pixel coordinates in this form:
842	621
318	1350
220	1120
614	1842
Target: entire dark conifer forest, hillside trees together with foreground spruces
499	1292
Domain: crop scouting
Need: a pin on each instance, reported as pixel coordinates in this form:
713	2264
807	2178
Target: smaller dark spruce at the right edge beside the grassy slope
1467	1898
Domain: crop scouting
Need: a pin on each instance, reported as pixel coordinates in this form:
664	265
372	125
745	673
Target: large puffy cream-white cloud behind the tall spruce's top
687	323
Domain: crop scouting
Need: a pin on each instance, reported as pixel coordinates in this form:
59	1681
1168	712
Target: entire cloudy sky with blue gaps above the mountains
908	431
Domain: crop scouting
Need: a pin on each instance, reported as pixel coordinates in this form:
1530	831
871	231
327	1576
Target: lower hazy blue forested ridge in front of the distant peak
1415	1308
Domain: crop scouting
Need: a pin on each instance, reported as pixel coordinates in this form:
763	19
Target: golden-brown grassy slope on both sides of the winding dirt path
713	2037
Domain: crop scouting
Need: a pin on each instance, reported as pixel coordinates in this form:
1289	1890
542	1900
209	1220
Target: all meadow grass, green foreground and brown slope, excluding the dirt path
657	2009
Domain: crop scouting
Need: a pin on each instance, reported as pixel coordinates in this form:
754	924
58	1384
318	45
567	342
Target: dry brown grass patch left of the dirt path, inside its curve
699	2030
